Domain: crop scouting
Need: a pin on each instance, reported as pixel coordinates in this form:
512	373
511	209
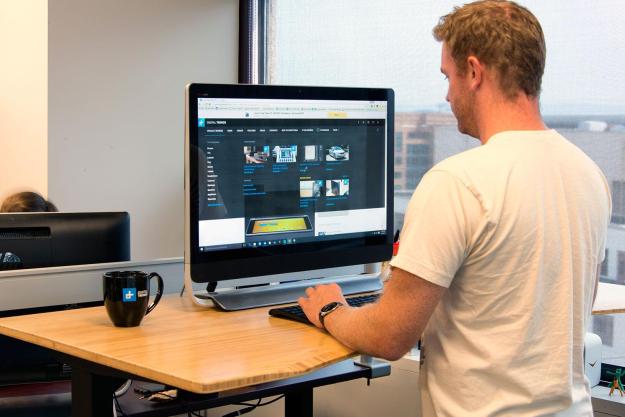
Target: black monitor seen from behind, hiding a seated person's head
35	240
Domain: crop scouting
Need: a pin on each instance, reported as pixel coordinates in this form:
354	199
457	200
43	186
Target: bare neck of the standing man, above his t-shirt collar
502	115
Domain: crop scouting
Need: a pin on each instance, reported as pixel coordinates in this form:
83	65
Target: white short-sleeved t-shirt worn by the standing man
515	229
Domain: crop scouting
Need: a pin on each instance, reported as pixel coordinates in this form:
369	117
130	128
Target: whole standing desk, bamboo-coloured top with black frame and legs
194	349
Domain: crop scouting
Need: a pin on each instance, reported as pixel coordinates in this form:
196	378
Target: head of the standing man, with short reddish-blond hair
494	57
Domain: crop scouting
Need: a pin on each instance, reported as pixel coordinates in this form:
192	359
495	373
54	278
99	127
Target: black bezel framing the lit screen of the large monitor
250	262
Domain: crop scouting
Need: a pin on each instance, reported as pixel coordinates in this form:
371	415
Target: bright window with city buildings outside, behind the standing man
382	44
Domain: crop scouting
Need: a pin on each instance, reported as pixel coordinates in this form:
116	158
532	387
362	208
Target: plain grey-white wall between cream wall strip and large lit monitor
117	72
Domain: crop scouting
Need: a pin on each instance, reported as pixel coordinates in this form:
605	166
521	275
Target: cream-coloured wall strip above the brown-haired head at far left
23	96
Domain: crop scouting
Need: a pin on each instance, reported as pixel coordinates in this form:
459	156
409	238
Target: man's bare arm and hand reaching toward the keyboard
386	329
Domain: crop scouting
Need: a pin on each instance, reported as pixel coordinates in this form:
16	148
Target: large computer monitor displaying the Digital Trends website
282	179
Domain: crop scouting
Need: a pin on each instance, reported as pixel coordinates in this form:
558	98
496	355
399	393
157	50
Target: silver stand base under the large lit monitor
283	293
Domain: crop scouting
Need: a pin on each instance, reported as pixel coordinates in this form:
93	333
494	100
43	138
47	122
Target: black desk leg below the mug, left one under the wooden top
92	395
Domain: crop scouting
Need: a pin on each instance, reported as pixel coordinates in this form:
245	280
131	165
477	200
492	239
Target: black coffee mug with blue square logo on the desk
126	295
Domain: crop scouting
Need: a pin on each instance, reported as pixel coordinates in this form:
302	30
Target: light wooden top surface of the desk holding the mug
196	349
